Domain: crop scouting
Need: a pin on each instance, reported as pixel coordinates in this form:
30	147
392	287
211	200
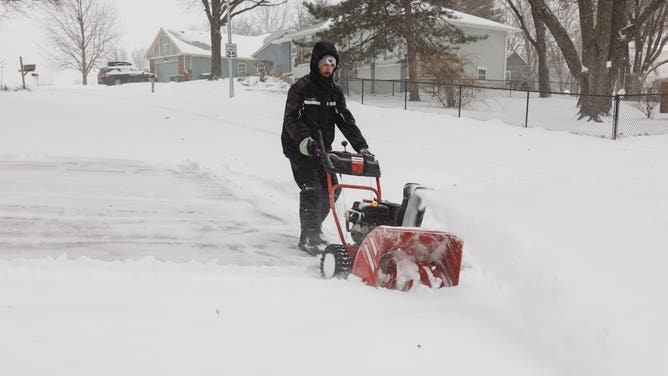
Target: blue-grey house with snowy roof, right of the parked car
177	55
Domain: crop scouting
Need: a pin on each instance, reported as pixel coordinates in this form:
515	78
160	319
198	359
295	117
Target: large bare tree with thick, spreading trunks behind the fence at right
605	31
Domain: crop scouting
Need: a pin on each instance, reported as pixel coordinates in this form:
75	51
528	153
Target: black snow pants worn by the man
311	178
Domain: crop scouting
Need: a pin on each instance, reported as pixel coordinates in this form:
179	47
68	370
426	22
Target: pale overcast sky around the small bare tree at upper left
140	21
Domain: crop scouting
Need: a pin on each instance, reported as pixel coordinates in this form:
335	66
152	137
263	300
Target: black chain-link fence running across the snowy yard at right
629	115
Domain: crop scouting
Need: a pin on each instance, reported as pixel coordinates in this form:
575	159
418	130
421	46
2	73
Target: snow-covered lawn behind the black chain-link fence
558	112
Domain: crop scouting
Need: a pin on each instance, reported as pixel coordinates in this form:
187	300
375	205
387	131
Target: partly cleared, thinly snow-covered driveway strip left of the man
117	209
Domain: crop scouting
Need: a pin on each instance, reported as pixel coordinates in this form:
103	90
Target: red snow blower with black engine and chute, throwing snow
388	249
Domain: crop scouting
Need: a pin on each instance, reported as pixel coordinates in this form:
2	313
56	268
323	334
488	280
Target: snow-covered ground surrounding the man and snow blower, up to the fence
155	234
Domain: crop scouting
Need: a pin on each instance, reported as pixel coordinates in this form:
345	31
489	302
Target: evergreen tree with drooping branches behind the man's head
365	29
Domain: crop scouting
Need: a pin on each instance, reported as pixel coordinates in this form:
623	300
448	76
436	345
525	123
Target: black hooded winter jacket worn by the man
313	103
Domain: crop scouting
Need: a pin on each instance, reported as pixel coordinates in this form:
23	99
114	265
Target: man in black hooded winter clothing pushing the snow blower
315	103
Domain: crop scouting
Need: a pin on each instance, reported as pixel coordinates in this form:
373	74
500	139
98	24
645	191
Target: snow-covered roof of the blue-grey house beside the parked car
197	43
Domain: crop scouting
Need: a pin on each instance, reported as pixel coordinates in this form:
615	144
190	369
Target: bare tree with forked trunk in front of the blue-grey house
216	12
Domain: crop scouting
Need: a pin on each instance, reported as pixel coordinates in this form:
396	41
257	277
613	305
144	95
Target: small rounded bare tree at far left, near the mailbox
80	34
